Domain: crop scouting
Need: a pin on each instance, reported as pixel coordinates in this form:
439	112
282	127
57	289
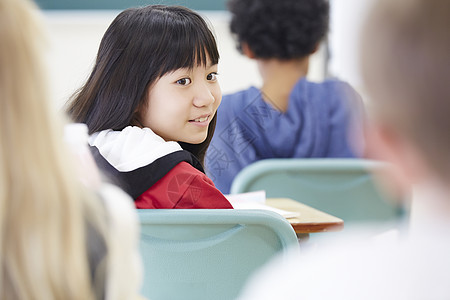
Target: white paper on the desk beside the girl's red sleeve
257	200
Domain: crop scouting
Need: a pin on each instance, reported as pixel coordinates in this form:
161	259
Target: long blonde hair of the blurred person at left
44	210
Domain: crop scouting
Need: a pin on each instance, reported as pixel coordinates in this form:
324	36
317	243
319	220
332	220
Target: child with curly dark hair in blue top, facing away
289	116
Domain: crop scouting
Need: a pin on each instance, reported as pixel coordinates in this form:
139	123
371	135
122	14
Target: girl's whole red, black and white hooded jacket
155	173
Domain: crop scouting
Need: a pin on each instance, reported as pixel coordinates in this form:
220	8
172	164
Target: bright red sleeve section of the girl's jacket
183	187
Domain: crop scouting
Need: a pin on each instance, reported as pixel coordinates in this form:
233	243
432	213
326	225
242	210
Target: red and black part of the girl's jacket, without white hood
175	180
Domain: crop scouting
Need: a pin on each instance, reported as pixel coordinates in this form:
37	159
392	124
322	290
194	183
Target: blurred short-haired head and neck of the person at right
406	69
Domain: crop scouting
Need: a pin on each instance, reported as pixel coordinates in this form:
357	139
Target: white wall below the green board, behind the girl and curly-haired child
75	37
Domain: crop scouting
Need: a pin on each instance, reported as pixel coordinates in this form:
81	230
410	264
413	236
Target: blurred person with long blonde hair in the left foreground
59	238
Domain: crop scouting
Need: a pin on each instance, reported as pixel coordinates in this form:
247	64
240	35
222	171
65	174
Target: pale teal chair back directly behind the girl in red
207	254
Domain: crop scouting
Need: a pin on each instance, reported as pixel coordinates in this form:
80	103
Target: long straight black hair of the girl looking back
139	47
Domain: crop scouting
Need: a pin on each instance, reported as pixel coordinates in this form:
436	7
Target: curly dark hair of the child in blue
283	29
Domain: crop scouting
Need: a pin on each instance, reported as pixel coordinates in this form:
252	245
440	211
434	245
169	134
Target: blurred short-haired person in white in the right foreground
405	66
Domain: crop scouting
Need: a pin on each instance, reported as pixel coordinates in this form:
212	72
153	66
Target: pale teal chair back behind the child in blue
344	188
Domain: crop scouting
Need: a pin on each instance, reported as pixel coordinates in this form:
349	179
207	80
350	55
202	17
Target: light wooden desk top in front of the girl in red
310	219
